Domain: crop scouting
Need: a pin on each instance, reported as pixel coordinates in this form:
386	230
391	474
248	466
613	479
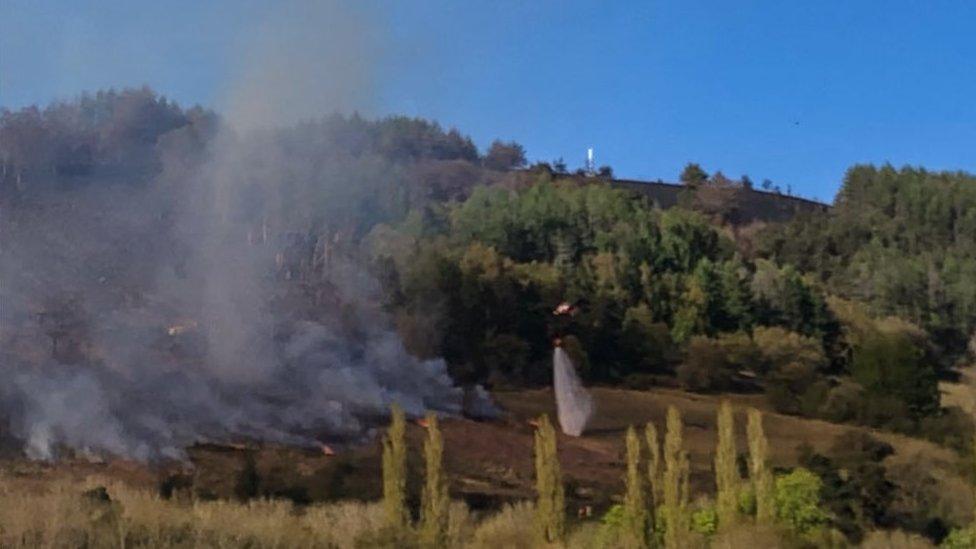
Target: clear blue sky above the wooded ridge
790	90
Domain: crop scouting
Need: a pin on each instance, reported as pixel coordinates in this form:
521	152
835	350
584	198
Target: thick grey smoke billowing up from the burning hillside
178	285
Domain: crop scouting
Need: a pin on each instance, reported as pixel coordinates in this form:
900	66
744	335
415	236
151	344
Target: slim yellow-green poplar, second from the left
435	500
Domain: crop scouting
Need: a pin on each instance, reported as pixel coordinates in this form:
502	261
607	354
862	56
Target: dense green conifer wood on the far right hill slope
903	240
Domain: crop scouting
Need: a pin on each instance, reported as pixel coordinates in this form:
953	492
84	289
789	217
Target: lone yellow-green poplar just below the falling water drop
550	505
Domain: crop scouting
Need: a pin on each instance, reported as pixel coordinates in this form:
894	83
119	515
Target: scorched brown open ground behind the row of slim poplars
490	463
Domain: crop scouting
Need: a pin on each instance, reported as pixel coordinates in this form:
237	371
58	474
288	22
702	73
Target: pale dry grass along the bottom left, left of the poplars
60	514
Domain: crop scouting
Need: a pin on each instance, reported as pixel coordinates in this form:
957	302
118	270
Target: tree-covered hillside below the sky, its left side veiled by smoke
850	313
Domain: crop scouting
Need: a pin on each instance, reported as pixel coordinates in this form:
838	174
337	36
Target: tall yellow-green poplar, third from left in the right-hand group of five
676	472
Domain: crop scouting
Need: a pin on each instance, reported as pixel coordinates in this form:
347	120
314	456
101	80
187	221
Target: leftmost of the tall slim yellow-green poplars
395	471
